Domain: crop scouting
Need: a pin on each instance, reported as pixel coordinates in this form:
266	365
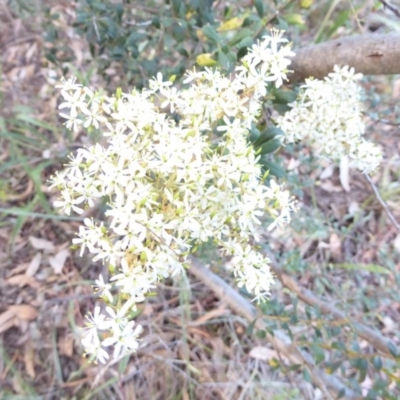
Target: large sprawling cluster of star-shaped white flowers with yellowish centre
172	181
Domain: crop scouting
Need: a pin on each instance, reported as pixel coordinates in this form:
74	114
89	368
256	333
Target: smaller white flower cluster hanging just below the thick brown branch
328	115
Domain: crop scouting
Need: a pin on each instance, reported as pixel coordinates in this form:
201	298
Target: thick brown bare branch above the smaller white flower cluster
370	54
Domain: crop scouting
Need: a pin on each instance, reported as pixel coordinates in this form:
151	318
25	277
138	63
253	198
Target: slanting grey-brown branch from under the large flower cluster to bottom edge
329	384
